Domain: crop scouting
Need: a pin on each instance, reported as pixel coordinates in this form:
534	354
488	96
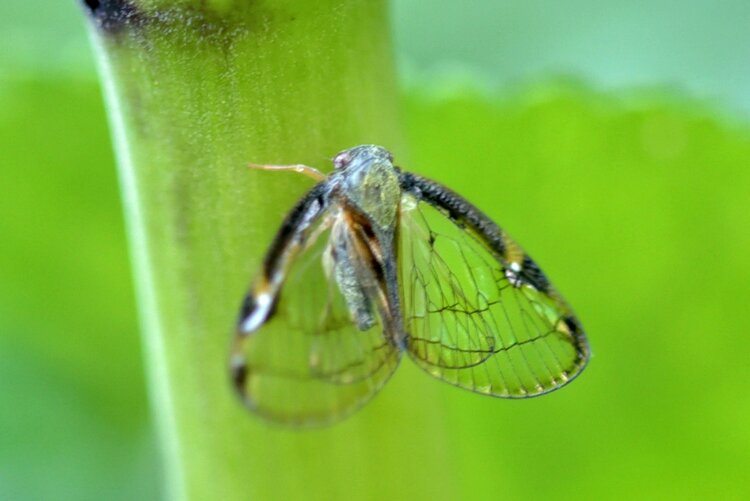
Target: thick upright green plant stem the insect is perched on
196	90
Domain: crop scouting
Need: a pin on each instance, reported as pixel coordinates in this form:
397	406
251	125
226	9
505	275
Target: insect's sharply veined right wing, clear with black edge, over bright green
477	310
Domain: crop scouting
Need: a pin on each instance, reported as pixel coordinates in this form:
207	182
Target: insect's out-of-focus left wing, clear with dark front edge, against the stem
307	362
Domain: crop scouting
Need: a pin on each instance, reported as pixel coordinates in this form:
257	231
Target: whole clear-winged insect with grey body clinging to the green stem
374	262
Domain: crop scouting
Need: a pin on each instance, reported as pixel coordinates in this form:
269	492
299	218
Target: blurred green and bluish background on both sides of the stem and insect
610	139
